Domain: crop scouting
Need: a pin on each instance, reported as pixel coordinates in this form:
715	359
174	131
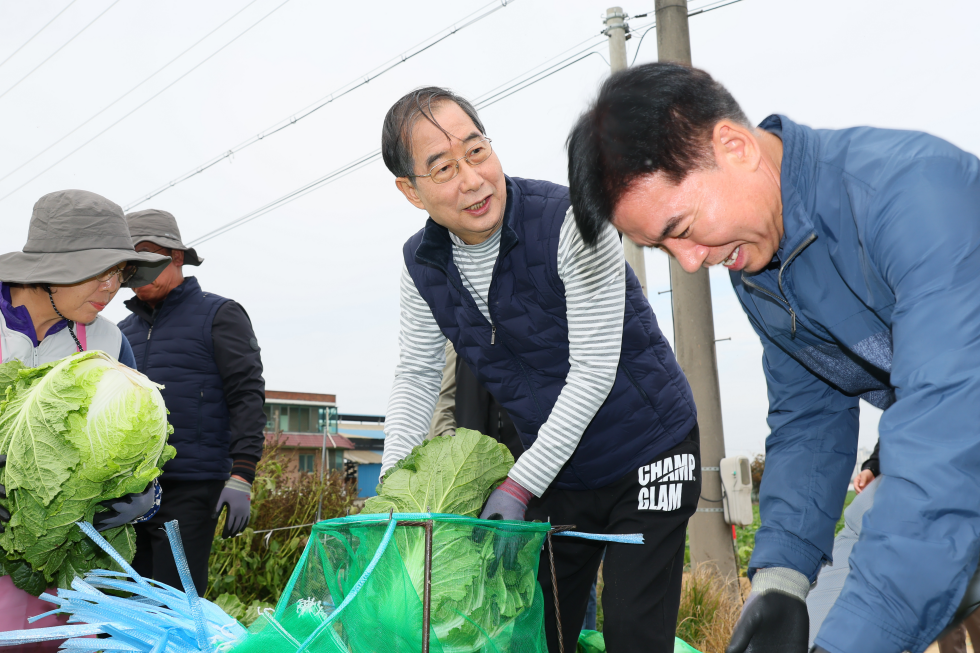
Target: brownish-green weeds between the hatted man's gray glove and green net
255	568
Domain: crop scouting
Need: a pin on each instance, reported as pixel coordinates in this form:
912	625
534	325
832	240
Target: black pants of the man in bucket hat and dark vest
191	503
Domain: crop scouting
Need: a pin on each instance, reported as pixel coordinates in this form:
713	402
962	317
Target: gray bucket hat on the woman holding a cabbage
73	236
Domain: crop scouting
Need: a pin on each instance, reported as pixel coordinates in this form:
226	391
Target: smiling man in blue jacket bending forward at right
856	255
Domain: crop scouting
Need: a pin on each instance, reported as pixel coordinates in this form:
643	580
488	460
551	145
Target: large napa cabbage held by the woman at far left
76	432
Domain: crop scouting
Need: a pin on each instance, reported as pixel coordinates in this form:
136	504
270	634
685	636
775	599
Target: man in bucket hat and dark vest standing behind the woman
202	349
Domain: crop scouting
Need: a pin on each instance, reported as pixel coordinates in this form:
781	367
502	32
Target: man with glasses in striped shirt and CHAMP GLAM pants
561	335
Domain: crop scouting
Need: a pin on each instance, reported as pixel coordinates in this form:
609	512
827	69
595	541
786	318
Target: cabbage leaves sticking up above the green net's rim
452	475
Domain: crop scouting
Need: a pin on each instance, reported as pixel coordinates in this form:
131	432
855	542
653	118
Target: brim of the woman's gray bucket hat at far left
67	268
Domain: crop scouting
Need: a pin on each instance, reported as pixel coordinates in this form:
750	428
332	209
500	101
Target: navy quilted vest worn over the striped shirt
650	408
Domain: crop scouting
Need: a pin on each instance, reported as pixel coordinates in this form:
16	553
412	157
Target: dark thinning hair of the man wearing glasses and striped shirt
396	135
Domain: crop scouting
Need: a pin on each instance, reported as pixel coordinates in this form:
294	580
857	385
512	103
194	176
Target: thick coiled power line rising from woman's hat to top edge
362	80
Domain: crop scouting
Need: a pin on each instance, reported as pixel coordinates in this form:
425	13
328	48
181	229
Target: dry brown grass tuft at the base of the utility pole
709	607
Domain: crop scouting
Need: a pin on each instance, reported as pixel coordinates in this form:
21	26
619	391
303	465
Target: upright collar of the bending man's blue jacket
796	180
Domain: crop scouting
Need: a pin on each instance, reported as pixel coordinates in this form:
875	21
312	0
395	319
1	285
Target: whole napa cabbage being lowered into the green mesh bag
483	582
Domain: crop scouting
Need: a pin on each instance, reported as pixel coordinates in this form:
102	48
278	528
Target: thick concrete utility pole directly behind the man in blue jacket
694	342
